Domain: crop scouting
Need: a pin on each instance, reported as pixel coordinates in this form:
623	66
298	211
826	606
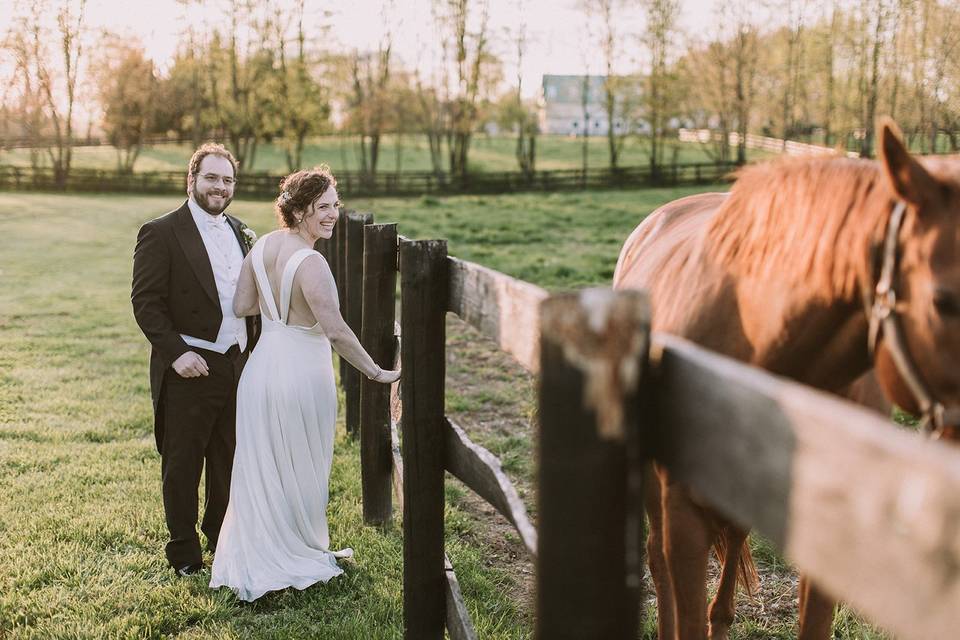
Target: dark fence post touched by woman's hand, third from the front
379	309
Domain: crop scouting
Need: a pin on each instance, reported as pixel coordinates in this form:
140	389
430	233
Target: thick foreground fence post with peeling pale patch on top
593	350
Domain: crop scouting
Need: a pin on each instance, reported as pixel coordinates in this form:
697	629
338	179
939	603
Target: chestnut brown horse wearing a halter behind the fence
816	269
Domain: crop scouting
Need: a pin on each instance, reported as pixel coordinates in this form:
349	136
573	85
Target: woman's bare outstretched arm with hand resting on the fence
321	293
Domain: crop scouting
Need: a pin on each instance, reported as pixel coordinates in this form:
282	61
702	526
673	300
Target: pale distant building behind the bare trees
561	106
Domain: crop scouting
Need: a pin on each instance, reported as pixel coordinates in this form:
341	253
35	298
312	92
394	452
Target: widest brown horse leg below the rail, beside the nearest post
687	540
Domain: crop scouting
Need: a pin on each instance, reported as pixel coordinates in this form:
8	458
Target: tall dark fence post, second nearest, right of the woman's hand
423	303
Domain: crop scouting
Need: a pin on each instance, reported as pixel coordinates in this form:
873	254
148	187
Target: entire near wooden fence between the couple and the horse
870	511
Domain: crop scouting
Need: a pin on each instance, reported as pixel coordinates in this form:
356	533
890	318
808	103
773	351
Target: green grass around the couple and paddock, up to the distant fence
81	524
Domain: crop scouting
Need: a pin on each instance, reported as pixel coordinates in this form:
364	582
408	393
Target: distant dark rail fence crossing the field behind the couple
353	184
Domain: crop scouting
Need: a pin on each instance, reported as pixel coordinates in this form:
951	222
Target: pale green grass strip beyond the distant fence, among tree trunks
340	152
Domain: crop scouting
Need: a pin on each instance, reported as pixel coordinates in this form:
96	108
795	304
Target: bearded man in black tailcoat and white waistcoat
185	269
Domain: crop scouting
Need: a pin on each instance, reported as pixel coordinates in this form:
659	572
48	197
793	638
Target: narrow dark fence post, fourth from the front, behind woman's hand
354	312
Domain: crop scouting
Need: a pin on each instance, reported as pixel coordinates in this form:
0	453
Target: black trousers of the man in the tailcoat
199	424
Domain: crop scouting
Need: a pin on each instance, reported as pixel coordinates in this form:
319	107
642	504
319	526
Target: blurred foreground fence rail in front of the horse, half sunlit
869	511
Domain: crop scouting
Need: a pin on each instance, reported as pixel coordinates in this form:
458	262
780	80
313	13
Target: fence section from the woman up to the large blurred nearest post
431	285
